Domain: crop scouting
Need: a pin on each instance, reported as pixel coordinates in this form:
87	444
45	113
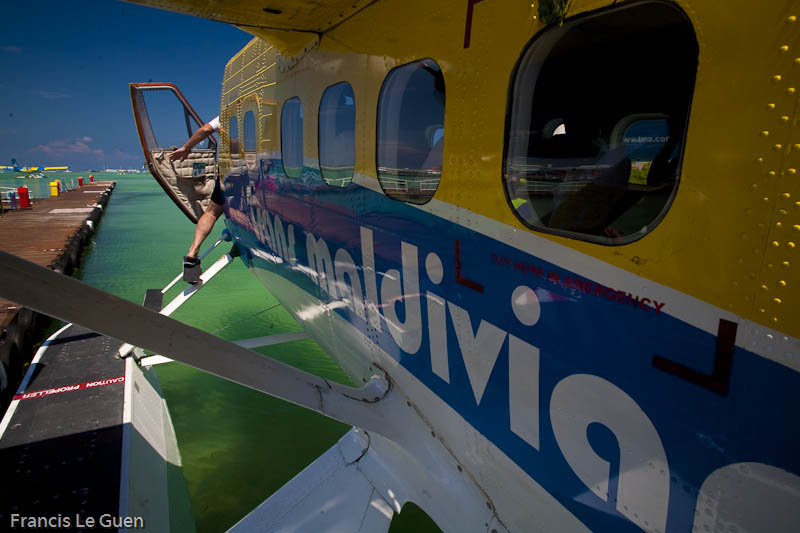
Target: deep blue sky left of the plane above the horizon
65	69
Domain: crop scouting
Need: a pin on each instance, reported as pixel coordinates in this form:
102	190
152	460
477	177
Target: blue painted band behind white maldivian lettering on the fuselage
585	328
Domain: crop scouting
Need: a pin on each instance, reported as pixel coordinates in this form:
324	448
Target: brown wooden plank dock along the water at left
53	231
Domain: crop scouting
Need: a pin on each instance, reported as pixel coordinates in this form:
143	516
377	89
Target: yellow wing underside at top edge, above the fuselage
287	24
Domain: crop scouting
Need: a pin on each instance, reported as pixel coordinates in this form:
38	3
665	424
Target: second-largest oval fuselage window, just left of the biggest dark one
411	131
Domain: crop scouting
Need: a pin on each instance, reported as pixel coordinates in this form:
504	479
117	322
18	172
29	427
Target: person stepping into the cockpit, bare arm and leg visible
191	263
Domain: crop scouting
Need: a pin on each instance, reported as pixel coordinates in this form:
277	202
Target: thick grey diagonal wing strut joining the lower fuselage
68	299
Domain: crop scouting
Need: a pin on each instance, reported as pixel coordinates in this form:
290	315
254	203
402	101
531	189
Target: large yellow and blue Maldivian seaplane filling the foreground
555	244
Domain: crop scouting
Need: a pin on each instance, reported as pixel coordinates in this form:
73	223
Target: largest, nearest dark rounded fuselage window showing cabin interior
601	161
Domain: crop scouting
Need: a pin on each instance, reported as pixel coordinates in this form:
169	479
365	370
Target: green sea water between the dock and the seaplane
238	446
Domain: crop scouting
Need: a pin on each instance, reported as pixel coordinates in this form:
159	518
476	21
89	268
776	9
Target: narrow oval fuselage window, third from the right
337	135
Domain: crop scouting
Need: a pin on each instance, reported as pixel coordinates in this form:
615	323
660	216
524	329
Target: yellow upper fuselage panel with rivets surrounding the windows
732	233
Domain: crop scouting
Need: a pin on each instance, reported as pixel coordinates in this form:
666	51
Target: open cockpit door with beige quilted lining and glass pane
165	121
